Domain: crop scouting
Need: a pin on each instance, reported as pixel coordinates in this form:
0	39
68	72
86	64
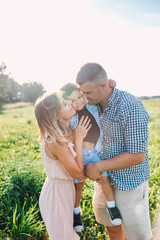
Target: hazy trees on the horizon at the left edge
11	91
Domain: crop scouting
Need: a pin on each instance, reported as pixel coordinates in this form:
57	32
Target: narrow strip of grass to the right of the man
153	107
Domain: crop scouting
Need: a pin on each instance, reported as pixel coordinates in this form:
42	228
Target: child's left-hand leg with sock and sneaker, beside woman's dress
78	224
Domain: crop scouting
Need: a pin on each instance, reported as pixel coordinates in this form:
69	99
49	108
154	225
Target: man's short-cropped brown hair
91	72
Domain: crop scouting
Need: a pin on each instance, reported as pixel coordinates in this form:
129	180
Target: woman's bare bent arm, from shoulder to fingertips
74	166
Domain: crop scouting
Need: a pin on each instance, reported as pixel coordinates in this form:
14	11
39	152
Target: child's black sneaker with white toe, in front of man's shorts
115	216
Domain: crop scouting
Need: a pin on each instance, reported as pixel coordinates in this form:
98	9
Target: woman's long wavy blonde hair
47	112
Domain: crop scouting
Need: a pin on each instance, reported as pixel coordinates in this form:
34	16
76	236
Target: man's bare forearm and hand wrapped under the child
124	160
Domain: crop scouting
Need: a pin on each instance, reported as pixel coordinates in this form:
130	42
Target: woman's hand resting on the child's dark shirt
82	128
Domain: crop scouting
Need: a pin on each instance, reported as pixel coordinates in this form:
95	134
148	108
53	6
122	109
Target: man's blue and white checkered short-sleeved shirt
124	125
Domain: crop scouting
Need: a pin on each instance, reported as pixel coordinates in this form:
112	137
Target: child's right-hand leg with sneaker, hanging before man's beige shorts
114	214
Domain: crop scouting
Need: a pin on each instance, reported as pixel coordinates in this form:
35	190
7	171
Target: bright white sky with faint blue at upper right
49	40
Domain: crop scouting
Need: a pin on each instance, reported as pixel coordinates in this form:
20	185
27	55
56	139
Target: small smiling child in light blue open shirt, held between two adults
91	147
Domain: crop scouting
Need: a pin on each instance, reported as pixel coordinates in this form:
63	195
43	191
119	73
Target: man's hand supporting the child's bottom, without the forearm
92	172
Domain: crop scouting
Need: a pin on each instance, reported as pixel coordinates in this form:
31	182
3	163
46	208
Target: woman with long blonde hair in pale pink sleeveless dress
61	163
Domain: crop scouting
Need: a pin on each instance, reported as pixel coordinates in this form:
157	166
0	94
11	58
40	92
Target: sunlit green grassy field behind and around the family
22	177
